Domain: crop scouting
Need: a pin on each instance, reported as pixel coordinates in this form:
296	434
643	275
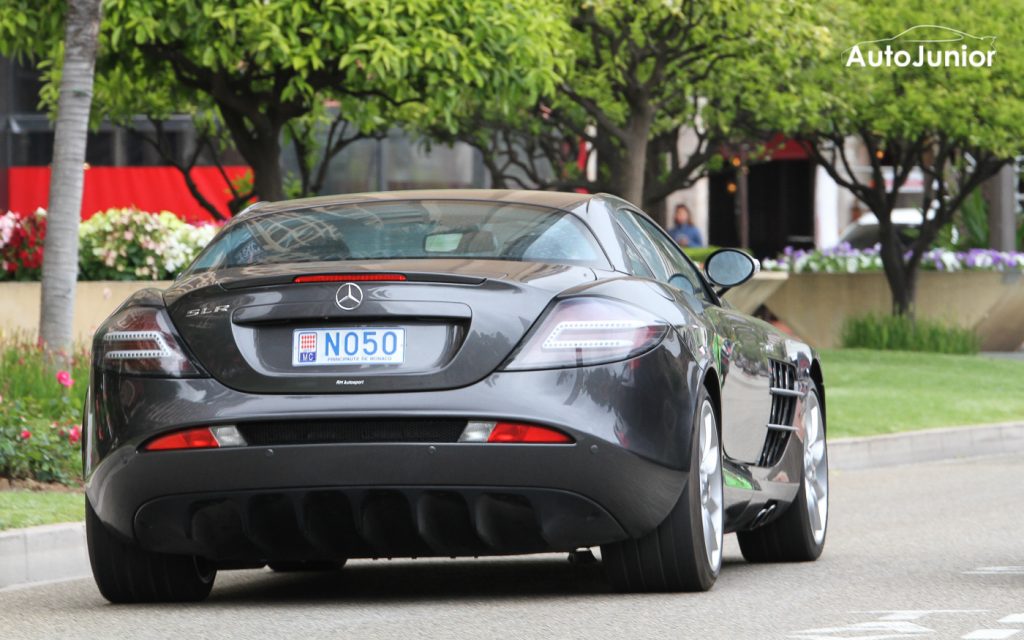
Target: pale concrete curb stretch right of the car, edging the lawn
926	446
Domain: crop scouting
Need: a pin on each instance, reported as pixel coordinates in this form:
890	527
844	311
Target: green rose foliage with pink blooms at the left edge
40	417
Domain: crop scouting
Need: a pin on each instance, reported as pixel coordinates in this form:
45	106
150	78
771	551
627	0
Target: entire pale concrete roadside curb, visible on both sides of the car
58	552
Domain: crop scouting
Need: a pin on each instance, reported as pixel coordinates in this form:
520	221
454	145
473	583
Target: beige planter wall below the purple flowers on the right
816	306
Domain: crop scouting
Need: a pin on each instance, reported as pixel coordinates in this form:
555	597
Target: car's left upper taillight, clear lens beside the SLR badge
142	342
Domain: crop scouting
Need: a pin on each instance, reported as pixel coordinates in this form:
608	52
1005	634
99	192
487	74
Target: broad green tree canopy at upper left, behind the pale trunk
268	68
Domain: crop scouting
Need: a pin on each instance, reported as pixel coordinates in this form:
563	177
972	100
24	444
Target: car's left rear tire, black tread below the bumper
126	574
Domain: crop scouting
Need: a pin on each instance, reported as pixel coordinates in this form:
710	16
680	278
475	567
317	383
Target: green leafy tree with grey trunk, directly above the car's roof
644	73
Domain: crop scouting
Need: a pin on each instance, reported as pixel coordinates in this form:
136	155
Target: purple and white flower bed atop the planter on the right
845	260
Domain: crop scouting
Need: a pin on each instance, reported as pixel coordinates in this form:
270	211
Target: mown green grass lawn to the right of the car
871	393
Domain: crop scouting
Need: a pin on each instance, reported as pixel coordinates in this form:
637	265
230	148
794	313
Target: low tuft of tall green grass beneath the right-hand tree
901	333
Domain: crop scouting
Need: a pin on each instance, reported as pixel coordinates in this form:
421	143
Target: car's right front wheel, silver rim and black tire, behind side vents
798	536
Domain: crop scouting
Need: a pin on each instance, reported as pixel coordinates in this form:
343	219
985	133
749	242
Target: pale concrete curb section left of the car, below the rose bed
42	554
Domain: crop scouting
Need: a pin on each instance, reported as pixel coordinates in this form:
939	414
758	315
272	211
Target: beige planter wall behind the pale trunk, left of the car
94	303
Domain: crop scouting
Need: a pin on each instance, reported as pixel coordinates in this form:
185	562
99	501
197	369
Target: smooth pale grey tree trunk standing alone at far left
67	176
